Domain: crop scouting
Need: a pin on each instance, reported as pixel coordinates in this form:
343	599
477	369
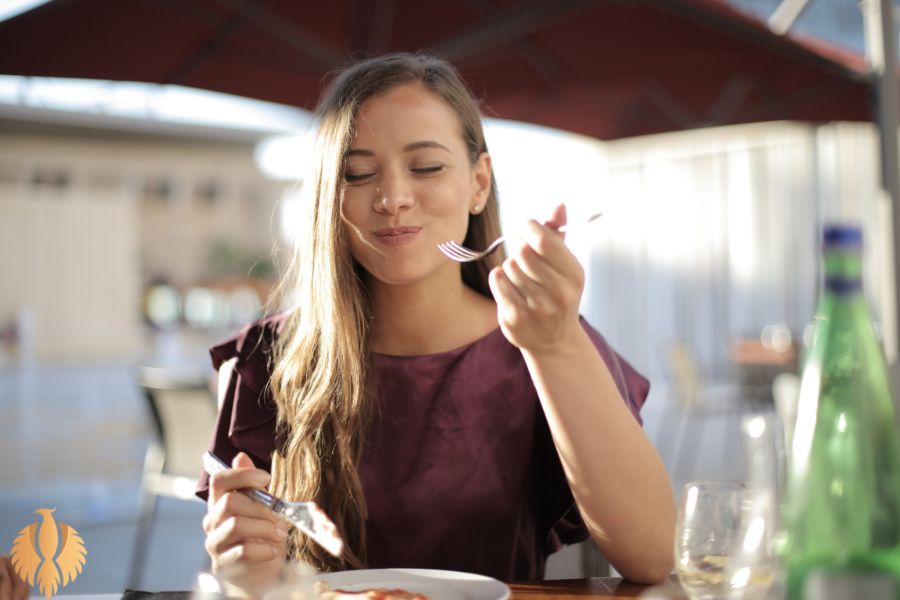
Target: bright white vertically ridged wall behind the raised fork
710	235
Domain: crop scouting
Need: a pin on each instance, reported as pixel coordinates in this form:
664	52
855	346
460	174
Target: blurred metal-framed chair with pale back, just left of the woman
183	411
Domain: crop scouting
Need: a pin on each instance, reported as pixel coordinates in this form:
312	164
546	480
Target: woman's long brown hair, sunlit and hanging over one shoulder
321	377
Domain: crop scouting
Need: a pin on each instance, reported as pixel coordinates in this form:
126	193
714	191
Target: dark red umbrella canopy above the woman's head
608	69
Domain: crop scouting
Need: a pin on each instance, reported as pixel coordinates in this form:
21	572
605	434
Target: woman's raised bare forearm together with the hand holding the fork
624	497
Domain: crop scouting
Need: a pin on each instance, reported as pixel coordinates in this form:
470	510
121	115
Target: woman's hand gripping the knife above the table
246	541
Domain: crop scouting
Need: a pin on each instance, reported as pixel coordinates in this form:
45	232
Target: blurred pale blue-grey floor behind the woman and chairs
73	438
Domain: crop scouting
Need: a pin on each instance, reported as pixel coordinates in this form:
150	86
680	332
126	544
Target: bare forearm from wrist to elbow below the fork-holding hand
624	497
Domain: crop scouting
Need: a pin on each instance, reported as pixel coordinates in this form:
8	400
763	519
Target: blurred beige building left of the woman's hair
96	213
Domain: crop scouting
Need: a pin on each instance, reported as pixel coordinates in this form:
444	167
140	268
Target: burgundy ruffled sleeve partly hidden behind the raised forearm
562	517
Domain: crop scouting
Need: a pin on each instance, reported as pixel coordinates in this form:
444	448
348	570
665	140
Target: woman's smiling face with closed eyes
409	185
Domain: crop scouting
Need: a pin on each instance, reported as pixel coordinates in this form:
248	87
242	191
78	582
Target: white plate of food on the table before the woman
437	585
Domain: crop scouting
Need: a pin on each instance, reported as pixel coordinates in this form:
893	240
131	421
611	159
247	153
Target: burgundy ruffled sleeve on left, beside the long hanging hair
247	415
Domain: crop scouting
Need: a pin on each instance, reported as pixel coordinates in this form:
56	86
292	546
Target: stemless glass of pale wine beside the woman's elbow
706	531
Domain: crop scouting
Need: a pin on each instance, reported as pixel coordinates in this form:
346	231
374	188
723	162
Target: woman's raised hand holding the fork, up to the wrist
538	288
